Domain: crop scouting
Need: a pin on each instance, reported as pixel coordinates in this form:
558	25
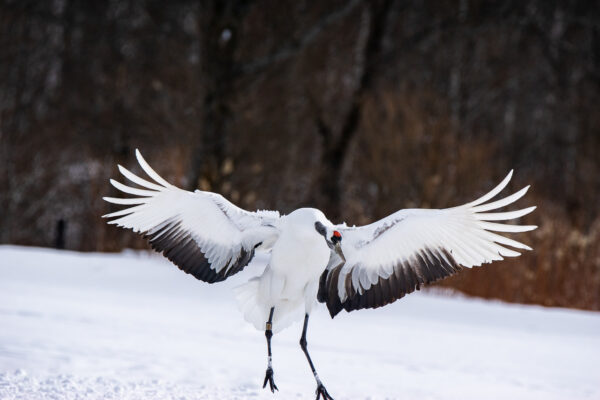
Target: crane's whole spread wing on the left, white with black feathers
201	232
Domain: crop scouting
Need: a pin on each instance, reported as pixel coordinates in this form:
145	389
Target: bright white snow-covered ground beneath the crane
132	326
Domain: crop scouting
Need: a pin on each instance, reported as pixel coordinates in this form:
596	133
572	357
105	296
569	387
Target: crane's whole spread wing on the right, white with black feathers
397	254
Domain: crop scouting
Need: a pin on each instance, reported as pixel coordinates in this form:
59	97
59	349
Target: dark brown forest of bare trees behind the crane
356	107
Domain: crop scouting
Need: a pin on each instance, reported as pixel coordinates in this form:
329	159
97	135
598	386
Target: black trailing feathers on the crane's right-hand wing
425	266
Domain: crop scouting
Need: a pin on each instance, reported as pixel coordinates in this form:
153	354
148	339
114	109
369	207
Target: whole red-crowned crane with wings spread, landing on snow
311	258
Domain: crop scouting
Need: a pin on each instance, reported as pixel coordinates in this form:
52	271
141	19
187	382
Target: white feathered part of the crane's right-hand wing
373	251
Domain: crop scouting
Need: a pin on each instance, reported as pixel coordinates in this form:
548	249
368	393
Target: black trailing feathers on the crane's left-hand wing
179	246
